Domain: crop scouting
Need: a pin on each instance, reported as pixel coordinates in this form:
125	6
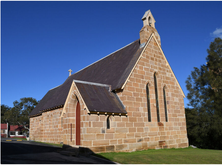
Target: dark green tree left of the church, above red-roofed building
19	113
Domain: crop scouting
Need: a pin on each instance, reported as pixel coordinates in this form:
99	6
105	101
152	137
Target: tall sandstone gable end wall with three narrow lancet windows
172	133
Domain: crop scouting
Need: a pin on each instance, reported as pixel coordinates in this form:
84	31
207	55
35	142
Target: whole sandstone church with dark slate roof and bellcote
129	100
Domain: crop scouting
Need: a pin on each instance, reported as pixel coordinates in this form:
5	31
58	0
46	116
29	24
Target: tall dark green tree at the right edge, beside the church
204	118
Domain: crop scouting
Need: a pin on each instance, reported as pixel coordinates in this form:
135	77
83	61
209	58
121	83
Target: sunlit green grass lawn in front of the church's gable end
167	156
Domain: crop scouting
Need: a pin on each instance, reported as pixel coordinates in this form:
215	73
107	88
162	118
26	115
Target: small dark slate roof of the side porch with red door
99	99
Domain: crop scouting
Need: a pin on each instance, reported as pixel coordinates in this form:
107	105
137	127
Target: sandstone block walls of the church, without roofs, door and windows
130	133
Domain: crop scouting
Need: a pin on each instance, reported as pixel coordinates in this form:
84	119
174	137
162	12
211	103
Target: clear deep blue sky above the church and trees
41	41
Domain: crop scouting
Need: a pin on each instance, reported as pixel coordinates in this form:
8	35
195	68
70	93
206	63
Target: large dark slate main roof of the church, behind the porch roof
113	70
